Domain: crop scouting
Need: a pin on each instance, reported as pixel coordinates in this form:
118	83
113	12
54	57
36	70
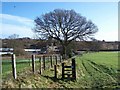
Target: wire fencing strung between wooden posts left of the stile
25	62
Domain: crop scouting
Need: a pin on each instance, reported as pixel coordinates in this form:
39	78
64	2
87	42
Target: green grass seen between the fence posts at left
20	65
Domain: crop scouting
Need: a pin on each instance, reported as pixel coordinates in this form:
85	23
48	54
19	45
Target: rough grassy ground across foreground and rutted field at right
94	70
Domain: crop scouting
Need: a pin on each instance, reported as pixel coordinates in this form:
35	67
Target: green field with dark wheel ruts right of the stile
98	69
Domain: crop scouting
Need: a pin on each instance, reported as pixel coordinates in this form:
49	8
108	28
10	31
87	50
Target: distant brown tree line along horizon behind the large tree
19	44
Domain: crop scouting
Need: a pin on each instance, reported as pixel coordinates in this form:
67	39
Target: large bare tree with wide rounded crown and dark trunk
64	26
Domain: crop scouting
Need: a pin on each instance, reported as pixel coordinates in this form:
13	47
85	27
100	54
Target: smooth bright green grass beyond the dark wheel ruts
109	59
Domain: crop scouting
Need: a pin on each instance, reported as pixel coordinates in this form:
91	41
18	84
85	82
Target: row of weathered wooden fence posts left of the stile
51	60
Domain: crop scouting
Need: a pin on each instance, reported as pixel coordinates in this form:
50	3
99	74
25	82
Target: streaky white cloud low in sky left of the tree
21	26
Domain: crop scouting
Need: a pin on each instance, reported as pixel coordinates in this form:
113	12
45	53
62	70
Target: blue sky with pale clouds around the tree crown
18	17
